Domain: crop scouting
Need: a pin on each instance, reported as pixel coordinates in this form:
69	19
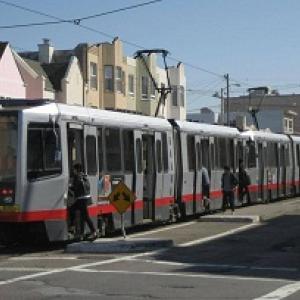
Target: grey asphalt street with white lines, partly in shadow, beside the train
210	259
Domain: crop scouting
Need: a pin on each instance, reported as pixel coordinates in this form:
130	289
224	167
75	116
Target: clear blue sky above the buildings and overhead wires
255	41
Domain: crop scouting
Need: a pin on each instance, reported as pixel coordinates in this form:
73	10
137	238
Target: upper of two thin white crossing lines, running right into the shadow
217	266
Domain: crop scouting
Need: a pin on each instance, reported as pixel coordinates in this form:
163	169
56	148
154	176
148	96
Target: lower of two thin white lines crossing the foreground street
174	274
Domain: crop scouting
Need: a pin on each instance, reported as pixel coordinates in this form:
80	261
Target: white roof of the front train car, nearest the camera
98	116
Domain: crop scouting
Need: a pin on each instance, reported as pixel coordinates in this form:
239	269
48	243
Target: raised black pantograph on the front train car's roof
163	90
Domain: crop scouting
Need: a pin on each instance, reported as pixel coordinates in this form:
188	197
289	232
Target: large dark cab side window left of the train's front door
43	151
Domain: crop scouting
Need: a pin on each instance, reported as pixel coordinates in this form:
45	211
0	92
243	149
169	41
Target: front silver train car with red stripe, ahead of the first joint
40	143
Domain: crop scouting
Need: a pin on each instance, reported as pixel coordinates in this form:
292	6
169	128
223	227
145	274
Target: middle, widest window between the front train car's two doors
113	149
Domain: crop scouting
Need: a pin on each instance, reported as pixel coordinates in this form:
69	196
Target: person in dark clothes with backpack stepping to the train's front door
81	189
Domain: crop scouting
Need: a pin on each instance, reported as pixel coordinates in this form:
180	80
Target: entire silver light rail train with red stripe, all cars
159	160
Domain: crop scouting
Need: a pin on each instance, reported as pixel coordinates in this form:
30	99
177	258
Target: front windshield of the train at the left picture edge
8	149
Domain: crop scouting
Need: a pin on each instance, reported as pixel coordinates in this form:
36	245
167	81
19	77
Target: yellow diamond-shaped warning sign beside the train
121	197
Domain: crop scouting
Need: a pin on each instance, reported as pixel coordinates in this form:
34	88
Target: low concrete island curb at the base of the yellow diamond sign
127	245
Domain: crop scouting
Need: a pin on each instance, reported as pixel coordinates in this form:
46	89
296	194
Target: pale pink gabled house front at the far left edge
11	81
